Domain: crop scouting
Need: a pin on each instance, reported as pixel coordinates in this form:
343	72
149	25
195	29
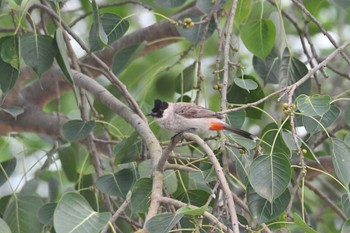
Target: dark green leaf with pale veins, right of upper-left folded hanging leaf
114	26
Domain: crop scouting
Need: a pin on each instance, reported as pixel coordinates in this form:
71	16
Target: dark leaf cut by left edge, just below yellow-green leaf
8	76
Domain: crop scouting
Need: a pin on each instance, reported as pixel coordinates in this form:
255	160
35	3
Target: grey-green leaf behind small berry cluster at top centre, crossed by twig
195	34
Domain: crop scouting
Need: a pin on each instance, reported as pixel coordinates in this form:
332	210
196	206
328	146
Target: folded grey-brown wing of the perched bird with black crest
189	110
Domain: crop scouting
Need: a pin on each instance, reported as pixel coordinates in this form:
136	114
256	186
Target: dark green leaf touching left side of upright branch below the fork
140	195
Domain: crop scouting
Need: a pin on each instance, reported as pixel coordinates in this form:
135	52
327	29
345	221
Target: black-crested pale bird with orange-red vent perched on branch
188	117
